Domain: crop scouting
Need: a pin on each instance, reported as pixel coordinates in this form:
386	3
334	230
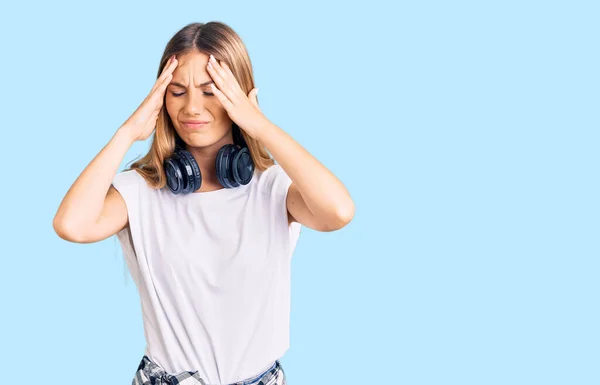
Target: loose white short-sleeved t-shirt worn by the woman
213	273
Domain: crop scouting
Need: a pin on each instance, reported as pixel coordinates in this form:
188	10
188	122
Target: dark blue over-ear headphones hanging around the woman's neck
234	166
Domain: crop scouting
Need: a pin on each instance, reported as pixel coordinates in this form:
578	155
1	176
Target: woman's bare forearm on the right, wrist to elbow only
324	194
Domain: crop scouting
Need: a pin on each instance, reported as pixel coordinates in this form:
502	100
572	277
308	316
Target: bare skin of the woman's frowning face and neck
198	103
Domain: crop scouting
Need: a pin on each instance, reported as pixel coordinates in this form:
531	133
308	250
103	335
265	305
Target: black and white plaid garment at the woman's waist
150	373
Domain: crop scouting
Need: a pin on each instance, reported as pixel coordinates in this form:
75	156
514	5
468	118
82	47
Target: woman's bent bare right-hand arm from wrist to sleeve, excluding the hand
316	198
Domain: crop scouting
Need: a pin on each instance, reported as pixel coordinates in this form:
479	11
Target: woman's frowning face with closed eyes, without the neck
189	97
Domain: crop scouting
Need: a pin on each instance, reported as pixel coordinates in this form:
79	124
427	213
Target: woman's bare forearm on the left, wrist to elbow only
84	201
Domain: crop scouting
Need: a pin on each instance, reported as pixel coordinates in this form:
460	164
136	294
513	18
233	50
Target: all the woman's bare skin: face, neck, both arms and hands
316	198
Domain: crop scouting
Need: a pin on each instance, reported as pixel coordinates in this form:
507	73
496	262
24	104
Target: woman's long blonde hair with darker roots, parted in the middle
225	45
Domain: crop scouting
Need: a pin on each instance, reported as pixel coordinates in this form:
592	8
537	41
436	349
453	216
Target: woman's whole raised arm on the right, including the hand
316	198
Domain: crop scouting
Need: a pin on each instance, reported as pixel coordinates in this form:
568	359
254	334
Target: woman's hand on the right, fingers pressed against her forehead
242	109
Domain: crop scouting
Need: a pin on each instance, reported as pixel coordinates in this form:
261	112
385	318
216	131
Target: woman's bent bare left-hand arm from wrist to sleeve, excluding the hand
92	209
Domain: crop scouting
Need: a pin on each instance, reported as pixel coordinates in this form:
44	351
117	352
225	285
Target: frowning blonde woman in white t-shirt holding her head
207	220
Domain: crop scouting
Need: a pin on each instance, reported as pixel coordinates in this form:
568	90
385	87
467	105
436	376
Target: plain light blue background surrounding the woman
466	132
